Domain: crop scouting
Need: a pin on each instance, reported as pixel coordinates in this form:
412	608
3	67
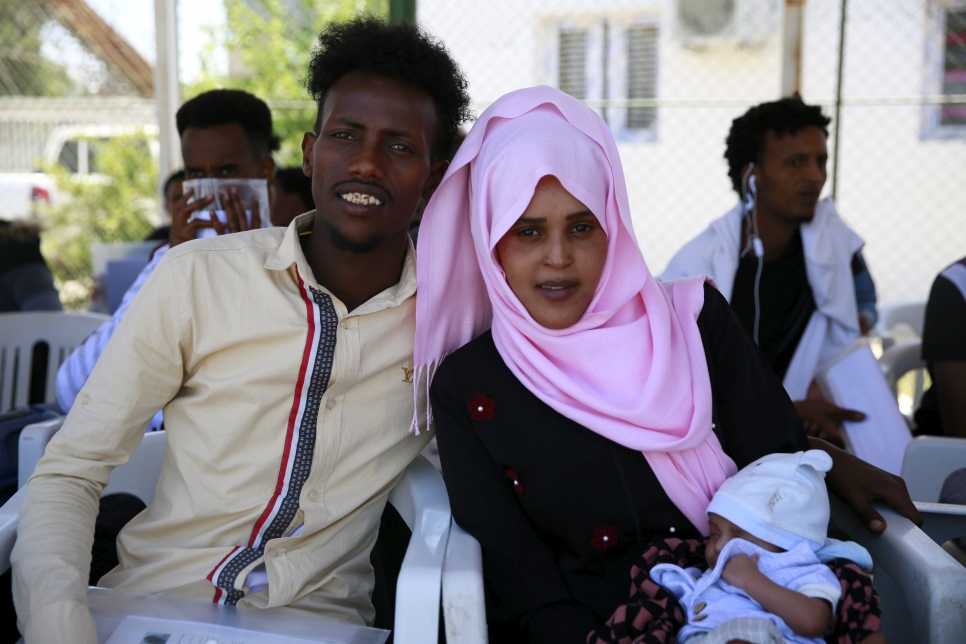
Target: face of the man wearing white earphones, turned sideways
792	174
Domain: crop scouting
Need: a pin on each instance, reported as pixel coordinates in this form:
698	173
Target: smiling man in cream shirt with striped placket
282	358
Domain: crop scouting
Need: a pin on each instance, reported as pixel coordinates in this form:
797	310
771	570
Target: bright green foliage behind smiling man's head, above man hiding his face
271	41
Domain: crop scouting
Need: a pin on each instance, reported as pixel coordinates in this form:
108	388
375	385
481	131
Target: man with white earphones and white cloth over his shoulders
801	308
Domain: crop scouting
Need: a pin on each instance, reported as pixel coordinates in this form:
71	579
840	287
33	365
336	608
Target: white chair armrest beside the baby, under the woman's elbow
929	594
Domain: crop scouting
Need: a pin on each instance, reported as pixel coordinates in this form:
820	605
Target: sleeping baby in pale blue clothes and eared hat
765	580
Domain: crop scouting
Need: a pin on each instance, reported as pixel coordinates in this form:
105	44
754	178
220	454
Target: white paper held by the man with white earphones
854	380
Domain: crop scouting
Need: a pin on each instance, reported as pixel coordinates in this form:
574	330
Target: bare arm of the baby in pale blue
807	616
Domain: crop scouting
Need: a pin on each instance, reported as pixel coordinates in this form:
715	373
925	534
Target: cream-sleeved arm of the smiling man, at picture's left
138	373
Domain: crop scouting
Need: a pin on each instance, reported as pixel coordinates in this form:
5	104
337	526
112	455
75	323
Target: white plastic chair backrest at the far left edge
21	333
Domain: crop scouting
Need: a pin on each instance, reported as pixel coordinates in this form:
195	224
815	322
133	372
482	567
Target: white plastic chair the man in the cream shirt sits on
419	497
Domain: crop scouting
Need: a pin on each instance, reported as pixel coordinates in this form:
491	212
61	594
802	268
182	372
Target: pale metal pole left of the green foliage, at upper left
167	89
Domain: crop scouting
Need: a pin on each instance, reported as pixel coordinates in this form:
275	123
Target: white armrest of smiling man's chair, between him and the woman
420	498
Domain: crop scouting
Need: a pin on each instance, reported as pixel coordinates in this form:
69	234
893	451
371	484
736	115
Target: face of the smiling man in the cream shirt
371	161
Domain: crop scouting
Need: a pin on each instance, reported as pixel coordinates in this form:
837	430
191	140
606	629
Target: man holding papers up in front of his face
225	134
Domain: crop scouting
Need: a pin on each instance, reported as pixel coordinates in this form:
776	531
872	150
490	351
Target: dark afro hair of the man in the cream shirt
400	51
